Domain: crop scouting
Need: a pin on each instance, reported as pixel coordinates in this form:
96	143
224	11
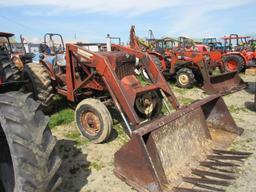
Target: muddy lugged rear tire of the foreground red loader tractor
39	83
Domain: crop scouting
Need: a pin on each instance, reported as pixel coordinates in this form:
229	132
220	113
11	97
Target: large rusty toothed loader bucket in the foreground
161	154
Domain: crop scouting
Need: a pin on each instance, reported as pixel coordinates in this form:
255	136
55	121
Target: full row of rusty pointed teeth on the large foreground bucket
219	172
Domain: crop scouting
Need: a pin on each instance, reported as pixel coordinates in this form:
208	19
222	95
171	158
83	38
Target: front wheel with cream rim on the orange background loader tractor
185	78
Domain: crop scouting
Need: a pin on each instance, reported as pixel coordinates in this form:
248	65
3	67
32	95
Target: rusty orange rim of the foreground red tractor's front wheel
91	123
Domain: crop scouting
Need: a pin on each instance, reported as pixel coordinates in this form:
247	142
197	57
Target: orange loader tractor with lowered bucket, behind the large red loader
189	66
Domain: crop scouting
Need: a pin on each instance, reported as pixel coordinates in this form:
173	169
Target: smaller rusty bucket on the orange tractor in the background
225	83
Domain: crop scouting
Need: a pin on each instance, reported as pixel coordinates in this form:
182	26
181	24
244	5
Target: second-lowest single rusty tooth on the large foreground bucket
206	181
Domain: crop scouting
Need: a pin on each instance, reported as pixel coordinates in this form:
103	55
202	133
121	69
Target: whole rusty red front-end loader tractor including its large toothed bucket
163	147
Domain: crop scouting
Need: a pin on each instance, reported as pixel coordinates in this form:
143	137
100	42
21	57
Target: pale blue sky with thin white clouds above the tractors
91	21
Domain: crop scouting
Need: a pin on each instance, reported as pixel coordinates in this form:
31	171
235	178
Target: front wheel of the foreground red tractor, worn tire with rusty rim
102	121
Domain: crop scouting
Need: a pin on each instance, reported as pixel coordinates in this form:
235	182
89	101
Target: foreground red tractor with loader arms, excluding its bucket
104	78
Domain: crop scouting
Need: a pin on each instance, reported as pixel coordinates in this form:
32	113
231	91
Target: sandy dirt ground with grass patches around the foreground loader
89	167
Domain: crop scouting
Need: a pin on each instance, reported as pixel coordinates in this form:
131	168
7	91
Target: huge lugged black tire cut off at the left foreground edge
28	160
